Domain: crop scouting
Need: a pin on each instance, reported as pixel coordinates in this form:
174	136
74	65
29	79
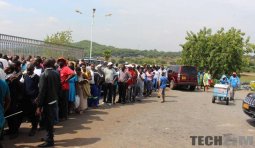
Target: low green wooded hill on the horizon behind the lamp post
123	52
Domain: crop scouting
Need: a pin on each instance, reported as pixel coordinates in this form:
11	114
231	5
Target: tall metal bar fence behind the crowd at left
12	45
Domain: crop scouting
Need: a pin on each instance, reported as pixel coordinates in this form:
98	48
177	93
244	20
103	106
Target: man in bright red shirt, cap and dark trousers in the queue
65	75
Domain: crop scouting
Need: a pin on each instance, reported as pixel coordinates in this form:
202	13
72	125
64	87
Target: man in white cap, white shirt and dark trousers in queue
109	73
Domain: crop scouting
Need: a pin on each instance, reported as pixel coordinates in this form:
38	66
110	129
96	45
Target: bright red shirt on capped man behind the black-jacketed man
65	72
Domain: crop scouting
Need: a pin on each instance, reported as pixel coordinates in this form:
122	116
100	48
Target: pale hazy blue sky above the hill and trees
137	24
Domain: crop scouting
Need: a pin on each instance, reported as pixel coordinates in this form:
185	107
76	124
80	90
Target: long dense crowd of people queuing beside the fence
45	91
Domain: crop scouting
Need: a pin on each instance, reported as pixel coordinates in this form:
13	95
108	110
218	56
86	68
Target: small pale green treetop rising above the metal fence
63	37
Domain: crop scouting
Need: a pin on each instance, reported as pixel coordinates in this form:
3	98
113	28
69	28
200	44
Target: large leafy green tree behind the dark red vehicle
221	53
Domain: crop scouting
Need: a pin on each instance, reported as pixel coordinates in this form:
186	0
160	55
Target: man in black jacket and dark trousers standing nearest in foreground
49	94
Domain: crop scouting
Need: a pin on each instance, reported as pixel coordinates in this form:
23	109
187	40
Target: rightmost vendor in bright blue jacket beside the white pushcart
234	82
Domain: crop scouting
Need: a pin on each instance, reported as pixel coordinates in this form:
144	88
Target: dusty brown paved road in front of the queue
149	124
